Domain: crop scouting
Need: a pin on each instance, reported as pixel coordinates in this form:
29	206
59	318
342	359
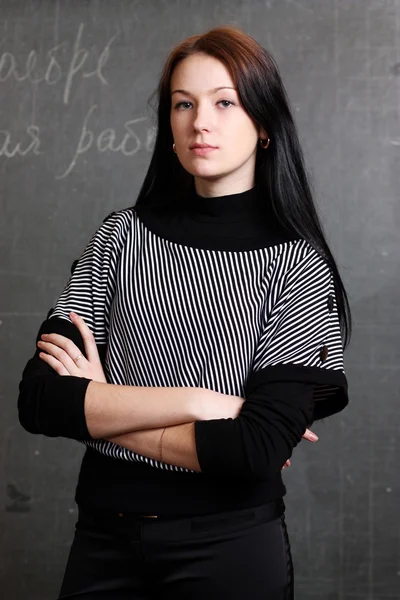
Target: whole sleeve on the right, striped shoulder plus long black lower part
296	377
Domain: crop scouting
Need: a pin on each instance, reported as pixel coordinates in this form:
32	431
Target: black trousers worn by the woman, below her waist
242	554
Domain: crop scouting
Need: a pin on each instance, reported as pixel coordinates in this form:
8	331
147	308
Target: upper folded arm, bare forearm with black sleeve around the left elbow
83	409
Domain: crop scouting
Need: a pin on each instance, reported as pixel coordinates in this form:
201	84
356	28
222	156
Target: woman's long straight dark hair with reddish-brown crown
280	170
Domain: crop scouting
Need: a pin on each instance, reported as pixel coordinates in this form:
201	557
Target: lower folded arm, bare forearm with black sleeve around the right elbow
255	445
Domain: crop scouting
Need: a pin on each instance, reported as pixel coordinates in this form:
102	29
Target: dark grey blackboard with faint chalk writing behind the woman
76	136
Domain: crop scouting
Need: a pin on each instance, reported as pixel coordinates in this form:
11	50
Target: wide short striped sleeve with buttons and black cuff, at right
302	340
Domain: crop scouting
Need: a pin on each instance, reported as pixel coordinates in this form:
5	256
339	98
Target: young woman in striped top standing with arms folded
200	333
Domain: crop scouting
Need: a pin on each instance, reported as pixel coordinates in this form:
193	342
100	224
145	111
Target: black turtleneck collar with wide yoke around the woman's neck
237	222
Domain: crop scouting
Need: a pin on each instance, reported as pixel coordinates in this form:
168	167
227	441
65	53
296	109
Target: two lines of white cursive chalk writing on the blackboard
70	62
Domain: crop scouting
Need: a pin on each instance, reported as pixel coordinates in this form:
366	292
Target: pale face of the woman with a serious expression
205	109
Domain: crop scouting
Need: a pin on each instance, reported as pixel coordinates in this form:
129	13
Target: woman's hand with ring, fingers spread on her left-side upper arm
62	355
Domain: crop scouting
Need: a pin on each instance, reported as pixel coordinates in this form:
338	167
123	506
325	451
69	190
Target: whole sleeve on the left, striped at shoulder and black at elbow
50	404
